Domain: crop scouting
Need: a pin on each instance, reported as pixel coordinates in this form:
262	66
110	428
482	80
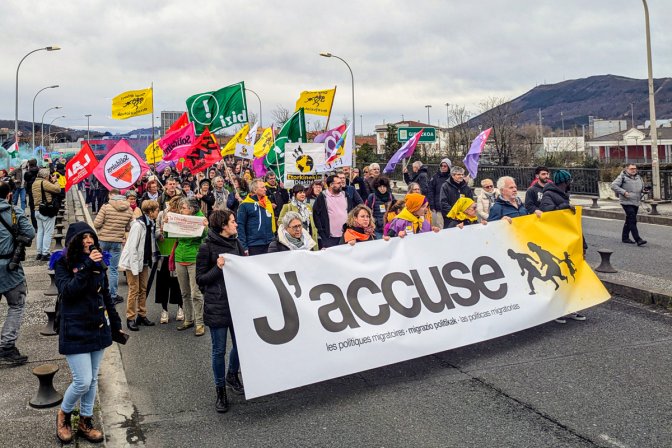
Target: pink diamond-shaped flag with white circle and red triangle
121	167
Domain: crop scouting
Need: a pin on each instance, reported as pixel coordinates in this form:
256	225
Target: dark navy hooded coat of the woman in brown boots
88	316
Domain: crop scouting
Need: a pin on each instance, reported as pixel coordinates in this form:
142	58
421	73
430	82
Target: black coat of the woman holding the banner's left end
210	280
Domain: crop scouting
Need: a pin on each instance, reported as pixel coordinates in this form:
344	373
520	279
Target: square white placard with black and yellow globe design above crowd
301	159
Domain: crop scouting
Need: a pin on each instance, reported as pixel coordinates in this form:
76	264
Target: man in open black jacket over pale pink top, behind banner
330	212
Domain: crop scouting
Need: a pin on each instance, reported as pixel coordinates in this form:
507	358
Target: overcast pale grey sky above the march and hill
404	54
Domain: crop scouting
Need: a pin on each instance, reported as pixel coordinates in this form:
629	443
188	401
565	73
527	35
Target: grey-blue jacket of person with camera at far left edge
11	279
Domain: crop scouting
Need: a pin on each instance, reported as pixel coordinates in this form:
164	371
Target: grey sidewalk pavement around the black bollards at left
20	424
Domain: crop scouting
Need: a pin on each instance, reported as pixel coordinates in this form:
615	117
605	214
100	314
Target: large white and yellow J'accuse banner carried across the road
377	303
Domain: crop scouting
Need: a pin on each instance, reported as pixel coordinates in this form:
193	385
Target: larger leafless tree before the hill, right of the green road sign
498	114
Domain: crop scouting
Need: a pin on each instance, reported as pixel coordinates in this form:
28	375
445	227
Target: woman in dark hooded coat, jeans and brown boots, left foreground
88	325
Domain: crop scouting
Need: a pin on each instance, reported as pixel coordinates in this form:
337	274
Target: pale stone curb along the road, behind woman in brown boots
119	416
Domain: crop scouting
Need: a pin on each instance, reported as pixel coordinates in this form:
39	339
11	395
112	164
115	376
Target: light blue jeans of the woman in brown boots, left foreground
84	368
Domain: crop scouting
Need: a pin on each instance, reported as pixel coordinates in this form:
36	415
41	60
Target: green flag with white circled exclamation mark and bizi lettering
219	109
